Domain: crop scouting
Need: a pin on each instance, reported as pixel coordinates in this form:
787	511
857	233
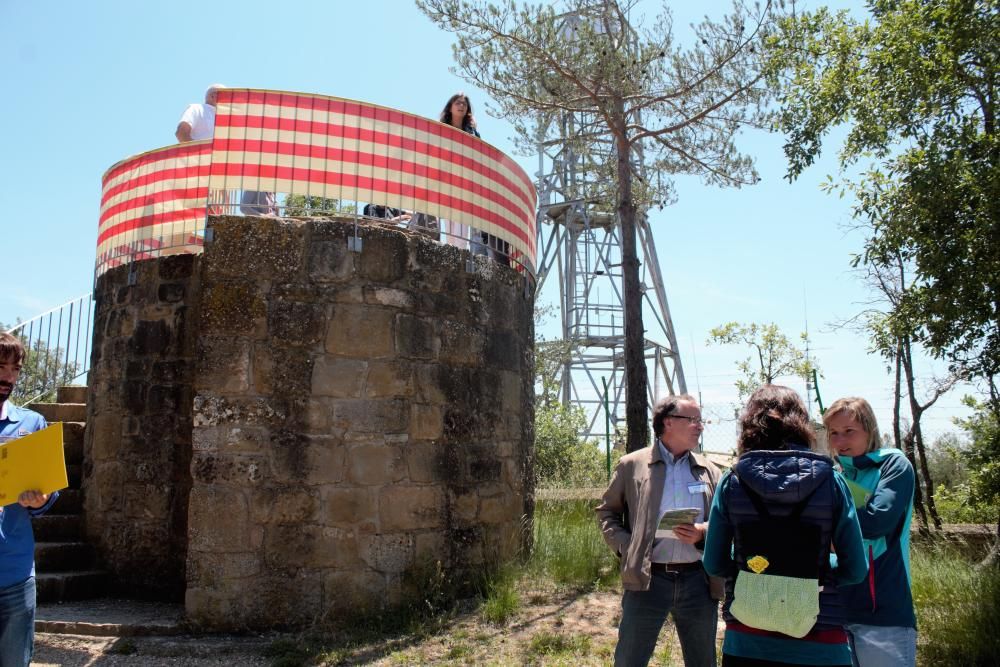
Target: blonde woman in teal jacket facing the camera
881	622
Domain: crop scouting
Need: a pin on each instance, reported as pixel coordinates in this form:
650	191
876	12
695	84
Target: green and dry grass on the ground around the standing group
958	608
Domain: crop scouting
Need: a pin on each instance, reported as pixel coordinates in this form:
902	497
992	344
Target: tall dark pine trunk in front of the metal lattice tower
636	405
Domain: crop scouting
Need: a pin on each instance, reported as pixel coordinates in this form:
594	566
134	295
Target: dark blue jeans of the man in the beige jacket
685	596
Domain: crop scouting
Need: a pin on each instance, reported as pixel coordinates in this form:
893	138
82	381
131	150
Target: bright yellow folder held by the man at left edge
32	462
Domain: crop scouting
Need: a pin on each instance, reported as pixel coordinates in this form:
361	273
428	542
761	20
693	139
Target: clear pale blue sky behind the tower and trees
89	83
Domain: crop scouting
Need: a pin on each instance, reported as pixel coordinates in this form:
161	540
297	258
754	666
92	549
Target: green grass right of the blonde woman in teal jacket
958	608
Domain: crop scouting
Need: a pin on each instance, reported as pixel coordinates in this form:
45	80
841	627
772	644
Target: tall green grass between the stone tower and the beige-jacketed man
569	548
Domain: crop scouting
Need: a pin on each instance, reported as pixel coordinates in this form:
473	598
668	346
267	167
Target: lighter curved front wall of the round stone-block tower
354	418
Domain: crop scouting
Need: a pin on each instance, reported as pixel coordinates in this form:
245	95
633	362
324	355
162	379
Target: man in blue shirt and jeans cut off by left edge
17	541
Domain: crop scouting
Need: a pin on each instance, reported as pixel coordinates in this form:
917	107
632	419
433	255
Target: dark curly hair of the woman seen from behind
774	416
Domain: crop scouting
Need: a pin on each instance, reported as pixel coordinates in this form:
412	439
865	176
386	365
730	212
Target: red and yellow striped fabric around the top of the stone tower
317	146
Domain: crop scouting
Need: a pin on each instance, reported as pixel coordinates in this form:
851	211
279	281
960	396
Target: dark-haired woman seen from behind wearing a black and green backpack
784	534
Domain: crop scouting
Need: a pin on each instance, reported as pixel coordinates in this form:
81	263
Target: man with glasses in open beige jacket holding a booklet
660	565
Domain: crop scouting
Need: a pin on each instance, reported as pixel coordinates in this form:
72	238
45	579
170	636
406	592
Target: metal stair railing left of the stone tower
57	344
